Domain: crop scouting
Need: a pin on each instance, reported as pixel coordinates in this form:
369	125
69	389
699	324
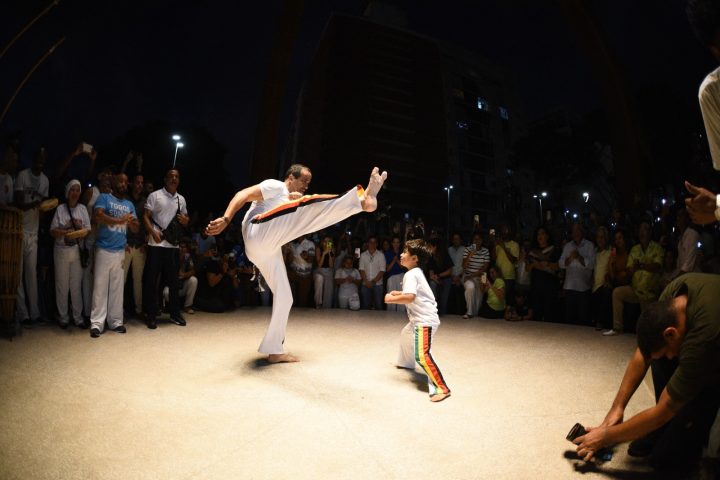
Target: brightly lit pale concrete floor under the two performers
200	403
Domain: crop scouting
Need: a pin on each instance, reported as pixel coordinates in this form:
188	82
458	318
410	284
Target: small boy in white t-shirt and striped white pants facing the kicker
423	322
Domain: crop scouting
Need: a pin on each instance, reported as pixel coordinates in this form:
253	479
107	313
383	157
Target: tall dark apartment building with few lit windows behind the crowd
430	114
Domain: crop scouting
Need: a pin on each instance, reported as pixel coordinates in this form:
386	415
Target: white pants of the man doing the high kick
263	242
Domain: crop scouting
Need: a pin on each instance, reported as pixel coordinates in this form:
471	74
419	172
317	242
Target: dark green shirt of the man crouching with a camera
699	359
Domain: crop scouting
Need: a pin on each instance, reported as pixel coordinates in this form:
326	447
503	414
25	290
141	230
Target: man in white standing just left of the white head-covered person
31	188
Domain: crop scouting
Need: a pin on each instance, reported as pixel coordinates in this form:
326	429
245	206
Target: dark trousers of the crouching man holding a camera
683	437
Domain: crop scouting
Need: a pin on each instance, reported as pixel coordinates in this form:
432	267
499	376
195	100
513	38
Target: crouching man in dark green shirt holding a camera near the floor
679	338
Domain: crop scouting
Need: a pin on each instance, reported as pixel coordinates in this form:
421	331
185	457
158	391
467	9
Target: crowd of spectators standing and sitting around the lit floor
582	271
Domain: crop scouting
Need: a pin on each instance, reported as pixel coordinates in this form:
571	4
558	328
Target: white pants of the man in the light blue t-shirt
107	289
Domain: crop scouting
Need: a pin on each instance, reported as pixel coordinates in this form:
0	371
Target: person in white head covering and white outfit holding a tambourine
69	217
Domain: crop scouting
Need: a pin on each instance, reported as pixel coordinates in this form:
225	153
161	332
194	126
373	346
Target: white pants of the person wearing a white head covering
68	279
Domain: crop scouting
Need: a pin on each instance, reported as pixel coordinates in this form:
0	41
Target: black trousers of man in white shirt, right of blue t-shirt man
161	268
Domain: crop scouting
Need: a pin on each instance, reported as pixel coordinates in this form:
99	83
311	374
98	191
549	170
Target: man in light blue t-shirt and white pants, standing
113	214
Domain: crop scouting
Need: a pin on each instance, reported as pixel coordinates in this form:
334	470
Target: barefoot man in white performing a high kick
280	213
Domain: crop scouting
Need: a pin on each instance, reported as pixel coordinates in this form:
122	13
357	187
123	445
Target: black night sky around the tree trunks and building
195	62
